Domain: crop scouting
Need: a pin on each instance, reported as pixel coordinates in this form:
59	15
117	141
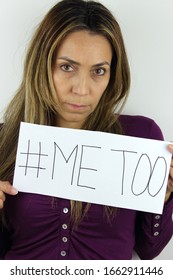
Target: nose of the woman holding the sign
81	84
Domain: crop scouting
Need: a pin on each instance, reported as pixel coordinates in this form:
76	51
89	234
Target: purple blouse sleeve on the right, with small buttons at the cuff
154	231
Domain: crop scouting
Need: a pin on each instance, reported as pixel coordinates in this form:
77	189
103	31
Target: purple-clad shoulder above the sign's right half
140	126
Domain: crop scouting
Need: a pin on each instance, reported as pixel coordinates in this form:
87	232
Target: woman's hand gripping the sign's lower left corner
6	188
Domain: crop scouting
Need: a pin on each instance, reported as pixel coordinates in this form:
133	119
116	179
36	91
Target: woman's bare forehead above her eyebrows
84	45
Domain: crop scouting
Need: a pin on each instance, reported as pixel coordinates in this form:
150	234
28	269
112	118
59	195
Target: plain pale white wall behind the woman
147	26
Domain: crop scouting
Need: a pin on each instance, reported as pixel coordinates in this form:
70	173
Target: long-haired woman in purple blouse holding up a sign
76	75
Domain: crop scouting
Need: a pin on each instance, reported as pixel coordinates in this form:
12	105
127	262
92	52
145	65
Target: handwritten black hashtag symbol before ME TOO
37	158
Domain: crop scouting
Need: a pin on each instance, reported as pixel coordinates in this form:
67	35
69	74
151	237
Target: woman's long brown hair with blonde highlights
36	101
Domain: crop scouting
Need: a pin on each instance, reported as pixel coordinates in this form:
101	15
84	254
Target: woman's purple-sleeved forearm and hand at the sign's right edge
153	231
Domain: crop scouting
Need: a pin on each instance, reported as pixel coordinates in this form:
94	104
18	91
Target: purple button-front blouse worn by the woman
40	229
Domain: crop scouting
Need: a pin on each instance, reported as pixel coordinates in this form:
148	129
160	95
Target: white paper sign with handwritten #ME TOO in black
96	167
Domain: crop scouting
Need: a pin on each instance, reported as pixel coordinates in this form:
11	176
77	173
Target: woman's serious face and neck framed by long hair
81	74
